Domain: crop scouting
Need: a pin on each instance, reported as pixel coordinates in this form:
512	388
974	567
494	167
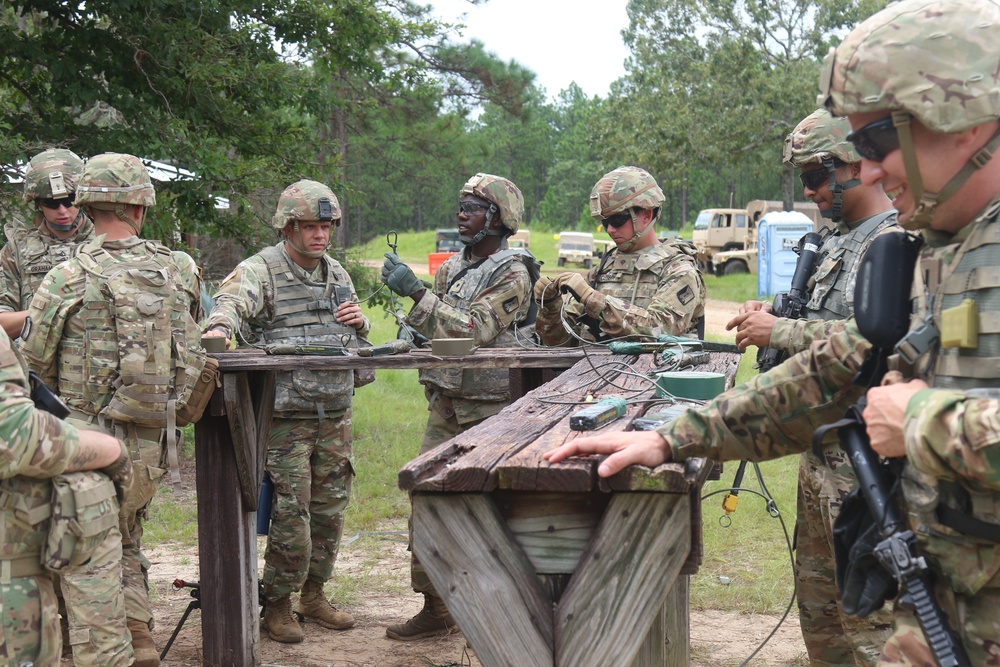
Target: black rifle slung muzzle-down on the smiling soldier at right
882	310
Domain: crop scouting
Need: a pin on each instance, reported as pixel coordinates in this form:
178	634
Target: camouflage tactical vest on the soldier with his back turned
142	354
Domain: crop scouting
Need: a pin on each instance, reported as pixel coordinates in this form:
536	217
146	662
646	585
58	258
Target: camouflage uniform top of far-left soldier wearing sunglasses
28	256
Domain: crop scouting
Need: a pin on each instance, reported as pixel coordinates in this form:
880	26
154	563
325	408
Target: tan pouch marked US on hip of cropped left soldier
84	510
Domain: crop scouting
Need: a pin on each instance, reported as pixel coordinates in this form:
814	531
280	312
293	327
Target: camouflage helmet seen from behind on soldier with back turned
112	181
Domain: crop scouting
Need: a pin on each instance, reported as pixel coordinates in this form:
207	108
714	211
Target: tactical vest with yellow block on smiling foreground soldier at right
967	270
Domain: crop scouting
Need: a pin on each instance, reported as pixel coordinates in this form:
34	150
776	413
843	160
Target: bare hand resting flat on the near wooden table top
646	448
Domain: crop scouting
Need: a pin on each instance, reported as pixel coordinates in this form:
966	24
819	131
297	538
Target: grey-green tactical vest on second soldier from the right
832	295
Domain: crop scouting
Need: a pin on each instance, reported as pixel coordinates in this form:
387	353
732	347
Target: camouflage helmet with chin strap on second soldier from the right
821	138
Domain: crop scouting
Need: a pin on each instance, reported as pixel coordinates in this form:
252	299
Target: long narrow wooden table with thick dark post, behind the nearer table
229	456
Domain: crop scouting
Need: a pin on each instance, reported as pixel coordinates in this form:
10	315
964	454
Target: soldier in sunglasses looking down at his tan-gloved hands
641	288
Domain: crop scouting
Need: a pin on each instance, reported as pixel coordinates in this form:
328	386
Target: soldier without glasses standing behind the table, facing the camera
294	293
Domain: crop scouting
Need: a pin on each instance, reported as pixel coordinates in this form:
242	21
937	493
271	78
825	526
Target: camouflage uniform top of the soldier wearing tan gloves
652	291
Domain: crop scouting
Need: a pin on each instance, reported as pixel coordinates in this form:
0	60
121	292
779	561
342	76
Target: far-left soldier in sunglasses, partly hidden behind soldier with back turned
57	228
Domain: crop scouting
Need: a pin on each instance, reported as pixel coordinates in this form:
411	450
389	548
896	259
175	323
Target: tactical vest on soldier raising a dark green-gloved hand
480	384
